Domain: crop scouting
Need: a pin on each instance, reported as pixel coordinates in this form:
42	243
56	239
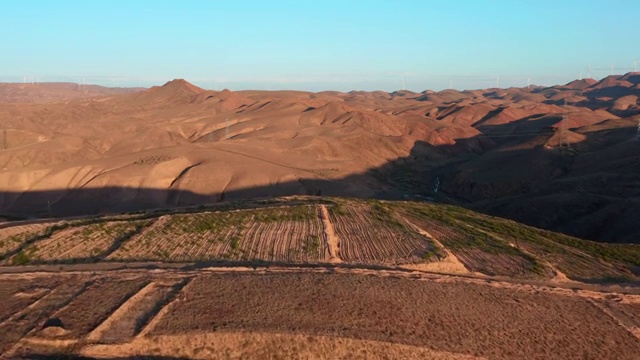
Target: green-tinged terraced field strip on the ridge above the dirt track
299	231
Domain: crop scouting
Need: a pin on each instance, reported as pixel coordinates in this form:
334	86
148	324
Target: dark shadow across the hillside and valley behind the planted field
580	191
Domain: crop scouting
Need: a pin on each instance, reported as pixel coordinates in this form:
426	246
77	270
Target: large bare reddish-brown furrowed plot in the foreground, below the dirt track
460	318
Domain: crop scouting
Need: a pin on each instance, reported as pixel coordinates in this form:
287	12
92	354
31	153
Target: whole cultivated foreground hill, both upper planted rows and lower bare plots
309	277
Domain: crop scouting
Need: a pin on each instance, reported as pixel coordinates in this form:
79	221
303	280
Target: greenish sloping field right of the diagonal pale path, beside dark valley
502	247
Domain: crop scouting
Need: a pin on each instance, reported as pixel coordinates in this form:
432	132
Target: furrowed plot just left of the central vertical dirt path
288	234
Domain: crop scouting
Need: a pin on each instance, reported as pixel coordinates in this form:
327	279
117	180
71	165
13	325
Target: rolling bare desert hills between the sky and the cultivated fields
561	158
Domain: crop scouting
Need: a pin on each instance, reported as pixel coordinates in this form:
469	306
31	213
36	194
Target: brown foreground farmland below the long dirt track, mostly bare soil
292	312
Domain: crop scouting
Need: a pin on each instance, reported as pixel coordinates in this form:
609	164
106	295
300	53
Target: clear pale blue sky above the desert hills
317	45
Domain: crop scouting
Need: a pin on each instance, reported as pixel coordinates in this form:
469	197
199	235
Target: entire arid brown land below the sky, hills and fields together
181	223
